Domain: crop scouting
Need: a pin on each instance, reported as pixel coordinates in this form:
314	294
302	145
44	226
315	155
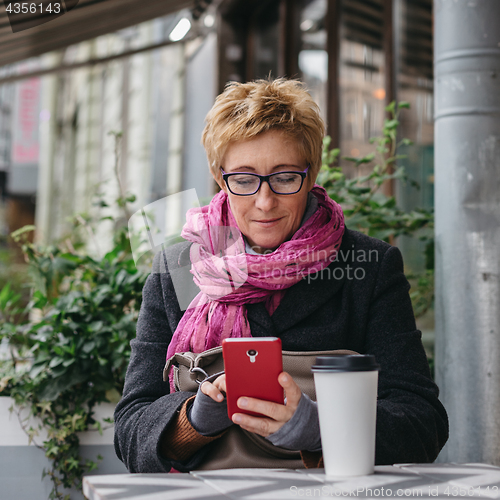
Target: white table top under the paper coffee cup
398	481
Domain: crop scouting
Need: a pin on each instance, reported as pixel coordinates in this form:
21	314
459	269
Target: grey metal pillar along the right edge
467	201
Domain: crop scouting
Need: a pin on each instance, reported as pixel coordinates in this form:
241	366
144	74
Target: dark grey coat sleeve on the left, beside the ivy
146	408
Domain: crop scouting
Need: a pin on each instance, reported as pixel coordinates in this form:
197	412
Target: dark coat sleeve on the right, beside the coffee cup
412	425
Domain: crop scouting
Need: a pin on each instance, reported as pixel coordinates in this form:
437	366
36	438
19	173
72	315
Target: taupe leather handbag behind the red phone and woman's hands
238	448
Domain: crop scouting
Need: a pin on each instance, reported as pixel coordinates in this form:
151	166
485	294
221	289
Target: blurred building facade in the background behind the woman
154	90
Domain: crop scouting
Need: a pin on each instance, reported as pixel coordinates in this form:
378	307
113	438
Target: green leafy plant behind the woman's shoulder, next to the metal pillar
367	209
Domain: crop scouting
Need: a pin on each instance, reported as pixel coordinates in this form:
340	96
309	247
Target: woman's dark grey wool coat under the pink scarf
360	302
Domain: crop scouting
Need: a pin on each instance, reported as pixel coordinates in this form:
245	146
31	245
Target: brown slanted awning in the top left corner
87	20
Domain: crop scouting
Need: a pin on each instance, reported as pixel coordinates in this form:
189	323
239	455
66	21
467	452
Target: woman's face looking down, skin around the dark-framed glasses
265	218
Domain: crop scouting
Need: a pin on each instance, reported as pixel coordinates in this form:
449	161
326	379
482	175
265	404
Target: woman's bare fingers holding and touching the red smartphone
276	415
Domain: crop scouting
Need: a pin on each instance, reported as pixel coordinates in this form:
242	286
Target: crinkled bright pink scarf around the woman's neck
229	278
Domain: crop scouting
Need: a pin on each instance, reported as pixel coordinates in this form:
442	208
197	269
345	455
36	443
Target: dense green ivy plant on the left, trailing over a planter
70	346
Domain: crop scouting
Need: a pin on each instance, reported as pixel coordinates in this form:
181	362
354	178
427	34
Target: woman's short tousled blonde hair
245	110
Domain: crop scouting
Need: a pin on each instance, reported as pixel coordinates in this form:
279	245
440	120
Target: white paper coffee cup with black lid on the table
346	392
